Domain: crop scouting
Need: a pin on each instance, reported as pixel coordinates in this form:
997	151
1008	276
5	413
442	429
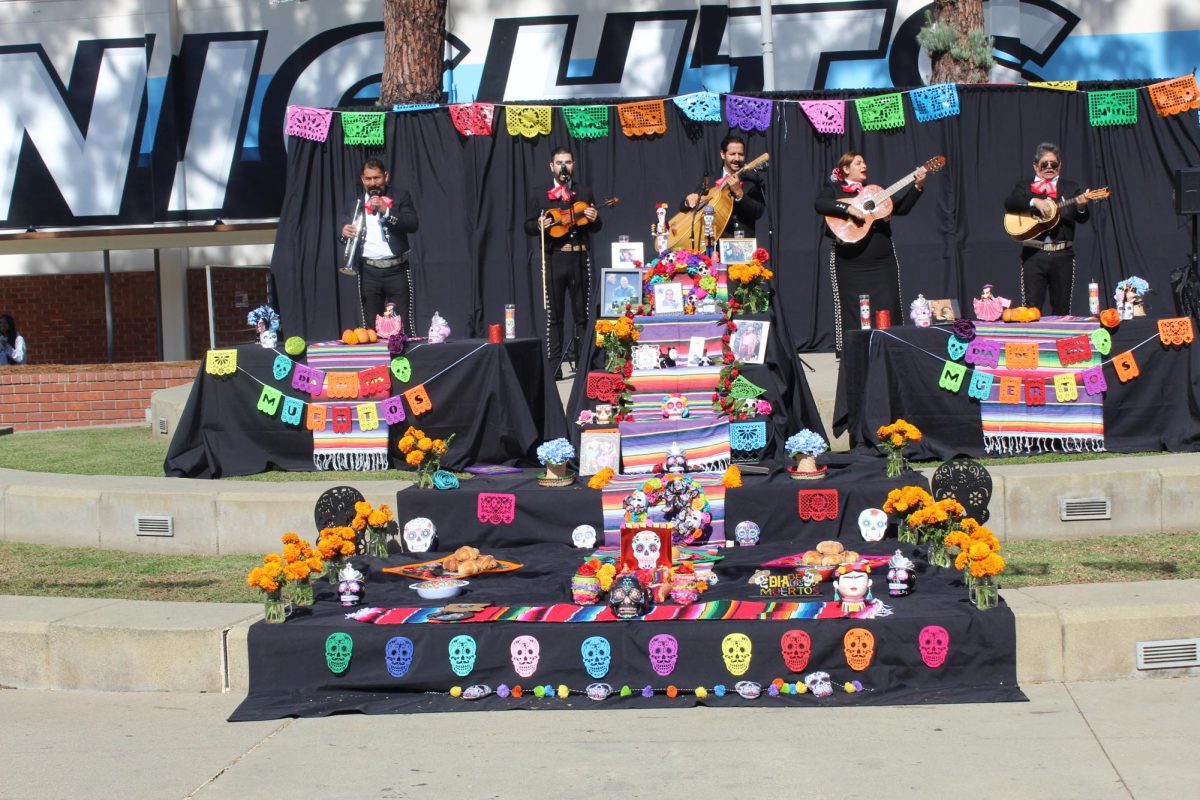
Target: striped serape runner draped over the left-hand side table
359	450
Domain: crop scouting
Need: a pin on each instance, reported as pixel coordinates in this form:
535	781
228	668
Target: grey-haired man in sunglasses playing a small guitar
1048	264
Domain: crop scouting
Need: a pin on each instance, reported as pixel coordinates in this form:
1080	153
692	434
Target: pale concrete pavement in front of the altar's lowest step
1101	741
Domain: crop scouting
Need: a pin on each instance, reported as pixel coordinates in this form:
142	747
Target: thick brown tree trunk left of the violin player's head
415	44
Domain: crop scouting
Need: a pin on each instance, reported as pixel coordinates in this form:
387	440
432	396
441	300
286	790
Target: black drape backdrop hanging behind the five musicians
471	256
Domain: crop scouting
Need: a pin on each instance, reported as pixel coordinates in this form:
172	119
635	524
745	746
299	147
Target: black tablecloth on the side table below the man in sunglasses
891	375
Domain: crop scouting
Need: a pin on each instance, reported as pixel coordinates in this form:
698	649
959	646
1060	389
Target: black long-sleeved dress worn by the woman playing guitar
868	267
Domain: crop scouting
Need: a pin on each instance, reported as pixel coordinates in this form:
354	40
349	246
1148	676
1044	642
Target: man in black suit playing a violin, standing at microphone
563	218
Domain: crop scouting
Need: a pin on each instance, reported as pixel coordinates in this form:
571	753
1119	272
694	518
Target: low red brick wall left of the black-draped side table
40	399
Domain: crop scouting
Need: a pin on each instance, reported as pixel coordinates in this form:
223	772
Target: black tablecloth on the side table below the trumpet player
500	402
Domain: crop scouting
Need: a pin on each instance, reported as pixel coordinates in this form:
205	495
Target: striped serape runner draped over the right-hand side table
1071	426
